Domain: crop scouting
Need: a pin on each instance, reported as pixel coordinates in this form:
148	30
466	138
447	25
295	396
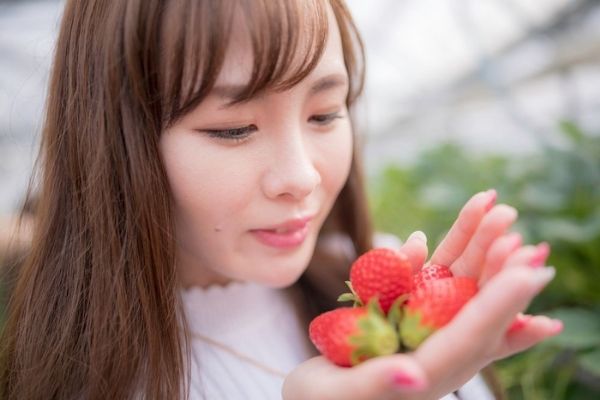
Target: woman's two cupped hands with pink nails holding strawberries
477	245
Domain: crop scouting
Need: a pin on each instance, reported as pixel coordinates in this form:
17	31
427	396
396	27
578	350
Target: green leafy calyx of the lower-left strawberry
375	337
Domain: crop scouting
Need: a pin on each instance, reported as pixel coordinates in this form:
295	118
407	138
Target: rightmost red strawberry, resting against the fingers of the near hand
432	306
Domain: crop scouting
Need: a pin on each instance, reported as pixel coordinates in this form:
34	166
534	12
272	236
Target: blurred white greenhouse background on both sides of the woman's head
493	75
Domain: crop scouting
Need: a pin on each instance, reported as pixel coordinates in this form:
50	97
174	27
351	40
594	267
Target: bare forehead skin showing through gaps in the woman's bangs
239	56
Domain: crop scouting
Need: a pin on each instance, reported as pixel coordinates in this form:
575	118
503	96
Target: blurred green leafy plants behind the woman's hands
557	193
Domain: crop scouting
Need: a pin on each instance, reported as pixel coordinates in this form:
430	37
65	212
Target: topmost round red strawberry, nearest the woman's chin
382	273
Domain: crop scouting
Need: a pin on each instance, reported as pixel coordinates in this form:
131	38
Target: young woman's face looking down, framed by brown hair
253	183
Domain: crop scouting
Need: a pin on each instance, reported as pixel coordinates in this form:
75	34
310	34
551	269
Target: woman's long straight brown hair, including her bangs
94	312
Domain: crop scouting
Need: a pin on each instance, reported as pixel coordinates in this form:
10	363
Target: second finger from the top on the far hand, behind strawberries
493	225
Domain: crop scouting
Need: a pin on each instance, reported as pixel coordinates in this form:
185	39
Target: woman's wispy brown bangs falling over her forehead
287	38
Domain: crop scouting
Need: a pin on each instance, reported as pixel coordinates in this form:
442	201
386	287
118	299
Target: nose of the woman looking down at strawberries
292	173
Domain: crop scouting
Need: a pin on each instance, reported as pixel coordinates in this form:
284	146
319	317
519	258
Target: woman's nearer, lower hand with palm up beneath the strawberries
447	359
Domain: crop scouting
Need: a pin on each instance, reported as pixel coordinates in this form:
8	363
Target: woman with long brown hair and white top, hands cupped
199	146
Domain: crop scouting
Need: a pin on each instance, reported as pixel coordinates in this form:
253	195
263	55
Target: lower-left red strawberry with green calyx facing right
350	335
